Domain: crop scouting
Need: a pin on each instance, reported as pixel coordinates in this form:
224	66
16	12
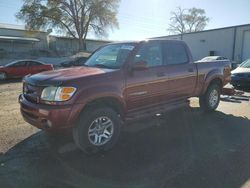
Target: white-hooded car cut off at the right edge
241	75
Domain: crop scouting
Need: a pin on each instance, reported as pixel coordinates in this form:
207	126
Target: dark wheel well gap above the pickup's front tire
108	102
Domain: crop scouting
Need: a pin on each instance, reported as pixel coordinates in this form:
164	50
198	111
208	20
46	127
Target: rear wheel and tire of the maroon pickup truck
211	99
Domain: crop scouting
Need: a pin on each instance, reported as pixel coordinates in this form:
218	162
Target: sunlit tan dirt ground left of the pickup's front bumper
13	127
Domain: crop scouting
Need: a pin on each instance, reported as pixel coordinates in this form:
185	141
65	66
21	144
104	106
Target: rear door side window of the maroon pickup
176	53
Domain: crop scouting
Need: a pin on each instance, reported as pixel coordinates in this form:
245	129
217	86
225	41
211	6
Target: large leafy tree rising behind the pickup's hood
72	17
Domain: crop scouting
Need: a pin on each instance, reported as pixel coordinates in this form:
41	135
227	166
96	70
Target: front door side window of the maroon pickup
151	53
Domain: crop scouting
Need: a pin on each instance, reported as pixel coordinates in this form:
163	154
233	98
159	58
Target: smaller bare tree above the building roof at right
187	20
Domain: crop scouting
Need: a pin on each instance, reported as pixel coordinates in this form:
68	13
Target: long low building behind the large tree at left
16	39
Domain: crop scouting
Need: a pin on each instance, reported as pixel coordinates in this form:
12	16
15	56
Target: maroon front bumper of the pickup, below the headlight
49	117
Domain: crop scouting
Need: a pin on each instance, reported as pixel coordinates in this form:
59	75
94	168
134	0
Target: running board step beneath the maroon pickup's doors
152	111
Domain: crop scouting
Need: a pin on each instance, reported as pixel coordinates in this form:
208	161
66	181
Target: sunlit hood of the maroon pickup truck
57	77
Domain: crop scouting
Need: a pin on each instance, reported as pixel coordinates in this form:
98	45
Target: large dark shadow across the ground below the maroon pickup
185	148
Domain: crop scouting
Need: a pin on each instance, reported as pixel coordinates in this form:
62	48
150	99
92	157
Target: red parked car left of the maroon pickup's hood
21	68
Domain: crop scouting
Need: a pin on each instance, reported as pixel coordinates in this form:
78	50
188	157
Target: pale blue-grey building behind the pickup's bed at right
231	42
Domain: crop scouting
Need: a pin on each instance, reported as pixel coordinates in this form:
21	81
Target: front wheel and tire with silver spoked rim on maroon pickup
86	130
